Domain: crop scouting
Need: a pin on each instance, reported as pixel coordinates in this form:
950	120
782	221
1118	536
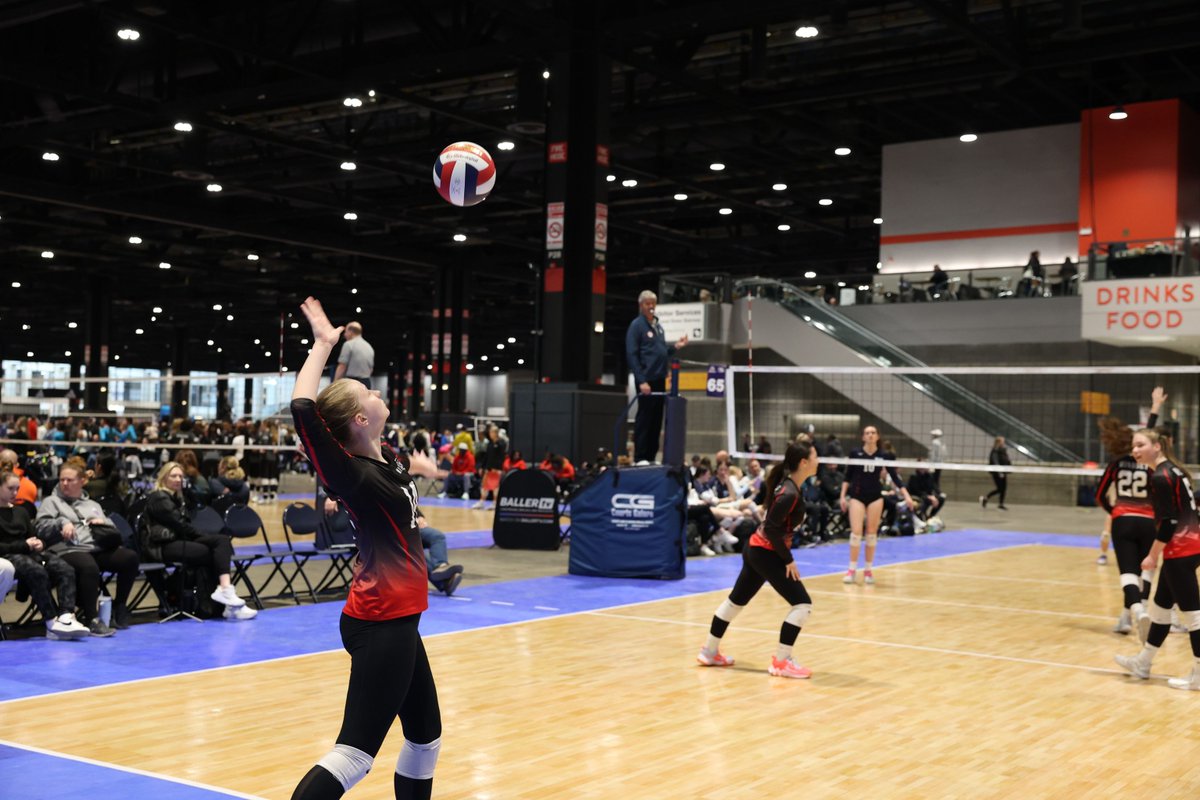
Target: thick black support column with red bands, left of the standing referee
578	213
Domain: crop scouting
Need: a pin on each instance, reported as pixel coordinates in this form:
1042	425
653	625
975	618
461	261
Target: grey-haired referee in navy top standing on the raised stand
649	356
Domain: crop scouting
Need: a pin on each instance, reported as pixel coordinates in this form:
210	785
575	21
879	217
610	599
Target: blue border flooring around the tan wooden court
38	667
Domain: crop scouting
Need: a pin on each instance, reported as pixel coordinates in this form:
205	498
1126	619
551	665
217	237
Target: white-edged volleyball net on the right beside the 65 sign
1047	416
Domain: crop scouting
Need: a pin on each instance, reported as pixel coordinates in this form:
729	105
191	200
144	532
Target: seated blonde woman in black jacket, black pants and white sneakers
169	536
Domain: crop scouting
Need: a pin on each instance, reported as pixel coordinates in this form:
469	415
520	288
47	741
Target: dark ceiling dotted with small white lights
265	86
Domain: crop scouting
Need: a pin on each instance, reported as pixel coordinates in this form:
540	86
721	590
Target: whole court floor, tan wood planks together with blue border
980	666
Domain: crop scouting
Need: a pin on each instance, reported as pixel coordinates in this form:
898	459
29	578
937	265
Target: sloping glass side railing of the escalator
1021	436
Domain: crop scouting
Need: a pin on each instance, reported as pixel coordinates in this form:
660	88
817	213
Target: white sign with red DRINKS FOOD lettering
1151	310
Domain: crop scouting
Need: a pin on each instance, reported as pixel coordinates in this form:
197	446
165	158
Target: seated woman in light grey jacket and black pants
76	530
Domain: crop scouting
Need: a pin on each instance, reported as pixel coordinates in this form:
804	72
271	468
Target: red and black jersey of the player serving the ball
389	574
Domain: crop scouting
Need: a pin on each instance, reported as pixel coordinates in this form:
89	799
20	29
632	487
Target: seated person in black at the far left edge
23	557
